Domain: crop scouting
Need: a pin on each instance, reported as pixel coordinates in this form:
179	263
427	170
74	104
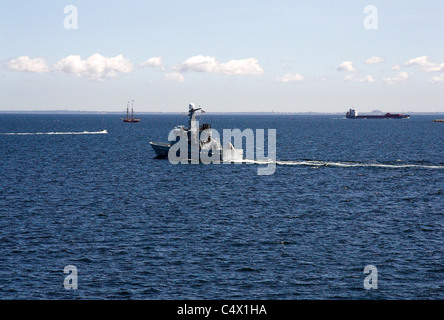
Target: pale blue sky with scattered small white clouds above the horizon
285	56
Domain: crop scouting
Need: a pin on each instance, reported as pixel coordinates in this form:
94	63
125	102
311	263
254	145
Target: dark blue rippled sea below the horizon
345	194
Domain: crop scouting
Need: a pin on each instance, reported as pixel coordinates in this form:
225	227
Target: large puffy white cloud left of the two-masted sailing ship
96	67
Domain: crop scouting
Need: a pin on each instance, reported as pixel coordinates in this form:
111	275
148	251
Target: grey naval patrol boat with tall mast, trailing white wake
199	136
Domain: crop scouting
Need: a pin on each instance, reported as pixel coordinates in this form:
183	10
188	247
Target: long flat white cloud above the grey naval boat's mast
208	64
